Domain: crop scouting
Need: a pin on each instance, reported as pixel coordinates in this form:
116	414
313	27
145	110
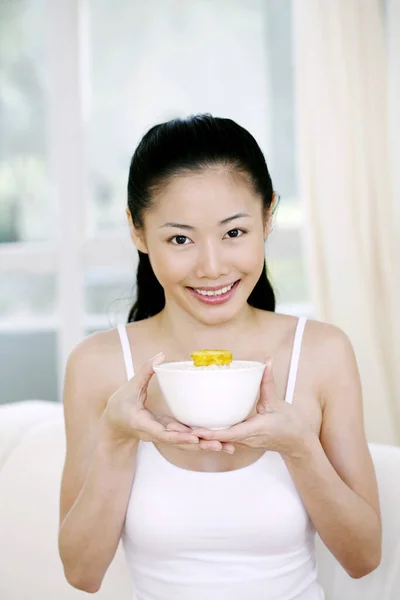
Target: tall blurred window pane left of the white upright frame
25	208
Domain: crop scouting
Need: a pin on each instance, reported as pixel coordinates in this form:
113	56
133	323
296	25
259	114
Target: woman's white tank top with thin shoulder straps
235	535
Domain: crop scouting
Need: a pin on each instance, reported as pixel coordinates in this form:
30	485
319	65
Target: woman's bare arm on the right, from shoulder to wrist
335	476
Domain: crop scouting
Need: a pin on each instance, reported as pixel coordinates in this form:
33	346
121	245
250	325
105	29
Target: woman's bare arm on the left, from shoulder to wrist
98	472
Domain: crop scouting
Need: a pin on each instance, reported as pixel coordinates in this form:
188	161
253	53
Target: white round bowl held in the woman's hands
213	397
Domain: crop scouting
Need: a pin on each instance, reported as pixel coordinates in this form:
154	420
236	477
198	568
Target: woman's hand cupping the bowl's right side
277	425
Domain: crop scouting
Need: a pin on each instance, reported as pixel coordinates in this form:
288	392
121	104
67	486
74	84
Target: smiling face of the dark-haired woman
205	238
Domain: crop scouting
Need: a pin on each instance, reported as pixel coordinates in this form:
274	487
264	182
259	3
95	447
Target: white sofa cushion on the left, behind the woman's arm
30	477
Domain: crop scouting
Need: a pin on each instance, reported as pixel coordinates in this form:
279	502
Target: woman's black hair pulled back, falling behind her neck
179	147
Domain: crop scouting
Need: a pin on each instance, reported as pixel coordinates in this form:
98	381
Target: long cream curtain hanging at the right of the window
347	188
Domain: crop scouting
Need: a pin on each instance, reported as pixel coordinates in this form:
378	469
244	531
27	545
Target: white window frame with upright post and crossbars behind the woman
72	253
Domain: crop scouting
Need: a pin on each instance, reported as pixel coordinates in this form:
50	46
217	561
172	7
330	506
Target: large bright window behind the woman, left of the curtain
81	83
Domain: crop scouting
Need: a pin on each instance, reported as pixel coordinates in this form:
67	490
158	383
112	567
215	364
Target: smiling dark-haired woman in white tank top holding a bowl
226	514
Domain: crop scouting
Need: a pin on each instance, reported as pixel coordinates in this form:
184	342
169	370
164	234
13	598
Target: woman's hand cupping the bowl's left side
128	419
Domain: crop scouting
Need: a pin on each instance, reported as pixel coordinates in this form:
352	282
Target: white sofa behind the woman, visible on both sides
32	450
